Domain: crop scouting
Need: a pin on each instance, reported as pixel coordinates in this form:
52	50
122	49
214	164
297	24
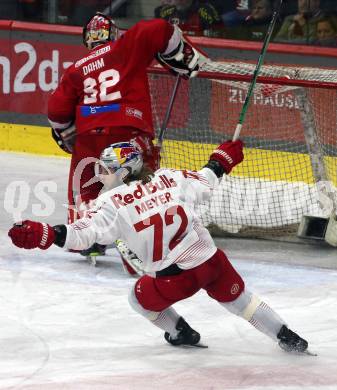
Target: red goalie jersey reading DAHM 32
109	87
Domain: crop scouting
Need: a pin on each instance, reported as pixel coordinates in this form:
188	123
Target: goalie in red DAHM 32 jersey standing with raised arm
104	98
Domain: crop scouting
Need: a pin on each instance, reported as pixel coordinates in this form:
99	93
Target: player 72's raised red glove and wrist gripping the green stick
225	157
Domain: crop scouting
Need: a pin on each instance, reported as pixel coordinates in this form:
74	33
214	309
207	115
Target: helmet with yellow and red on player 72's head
121	158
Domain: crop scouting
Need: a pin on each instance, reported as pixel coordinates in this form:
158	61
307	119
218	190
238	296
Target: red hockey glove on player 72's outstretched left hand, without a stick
29	234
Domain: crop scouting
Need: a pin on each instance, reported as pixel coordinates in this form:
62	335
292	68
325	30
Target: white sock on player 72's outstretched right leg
257	313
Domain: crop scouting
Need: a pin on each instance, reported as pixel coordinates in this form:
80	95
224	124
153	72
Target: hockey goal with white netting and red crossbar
290	137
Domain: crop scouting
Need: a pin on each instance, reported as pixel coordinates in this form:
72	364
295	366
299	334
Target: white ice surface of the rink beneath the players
67	325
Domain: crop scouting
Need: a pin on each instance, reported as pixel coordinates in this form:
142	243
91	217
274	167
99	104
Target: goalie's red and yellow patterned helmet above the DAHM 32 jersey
98	30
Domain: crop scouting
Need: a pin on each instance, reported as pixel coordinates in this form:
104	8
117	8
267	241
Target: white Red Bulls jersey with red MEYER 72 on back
157	220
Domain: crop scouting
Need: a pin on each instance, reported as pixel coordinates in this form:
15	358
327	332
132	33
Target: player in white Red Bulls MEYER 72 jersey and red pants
154	213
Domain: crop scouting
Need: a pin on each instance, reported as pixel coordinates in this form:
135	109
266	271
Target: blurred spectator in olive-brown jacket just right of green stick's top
301	28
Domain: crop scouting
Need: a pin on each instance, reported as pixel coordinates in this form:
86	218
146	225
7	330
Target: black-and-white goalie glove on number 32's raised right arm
184	60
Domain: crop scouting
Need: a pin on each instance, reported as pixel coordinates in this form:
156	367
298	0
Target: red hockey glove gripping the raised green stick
228	154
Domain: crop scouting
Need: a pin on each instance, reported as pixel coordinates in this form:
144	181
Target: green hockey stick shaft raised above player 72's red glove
256	71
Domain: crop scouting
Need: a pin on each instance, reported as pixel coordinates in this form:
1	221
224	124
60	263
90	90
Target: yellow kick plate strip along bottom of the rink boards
273	165
